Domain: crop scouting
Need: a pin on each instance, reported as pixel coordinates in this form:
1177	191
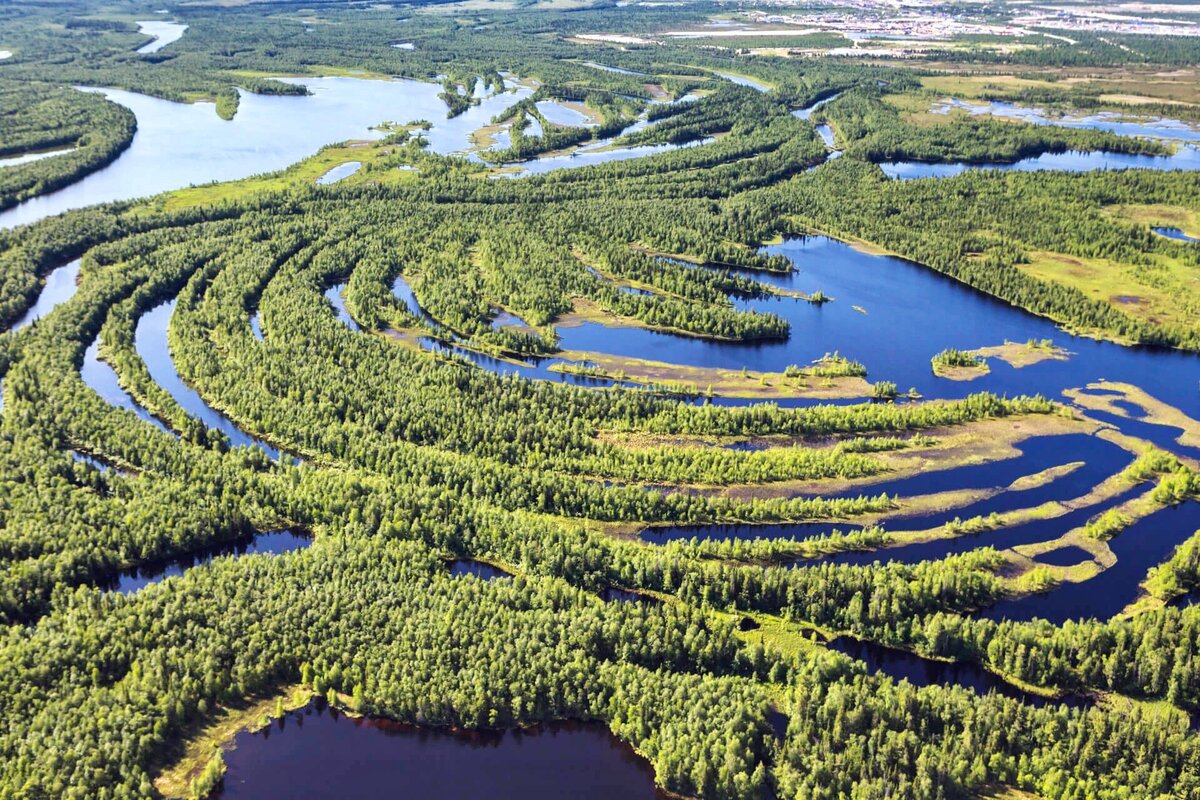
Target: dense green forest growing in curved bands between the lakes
373	432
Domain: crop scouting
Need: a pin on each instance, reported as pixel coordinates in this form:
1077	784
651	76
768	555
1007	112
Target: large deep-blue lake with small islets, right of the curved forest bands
898	296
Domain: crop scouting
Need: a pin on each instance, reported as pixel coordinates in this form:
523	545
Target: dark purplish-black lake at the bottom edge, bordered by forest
317	754
